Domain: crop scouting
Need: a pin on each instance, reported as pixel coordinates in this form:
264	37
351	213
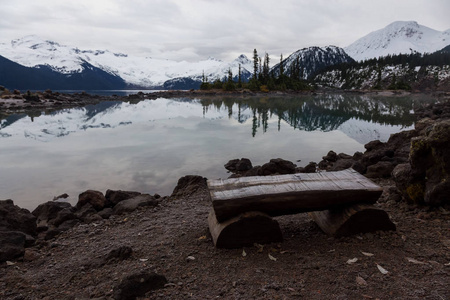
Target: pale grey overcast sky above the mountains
194	29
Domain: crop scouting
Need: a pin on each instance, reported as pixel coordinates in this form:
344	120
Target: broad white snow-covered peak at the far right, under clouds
402	37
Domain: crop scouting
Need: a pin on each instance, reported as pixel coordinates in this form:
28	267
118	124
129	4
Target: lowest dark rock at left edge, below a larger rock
12	245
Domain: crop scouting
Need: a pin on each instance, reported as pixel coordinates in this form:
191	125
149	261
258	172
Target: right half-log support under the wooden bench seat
353	219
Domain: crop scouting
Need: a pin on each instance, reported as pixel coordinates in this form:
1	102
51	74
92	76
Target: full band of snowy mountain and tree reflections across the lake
324	113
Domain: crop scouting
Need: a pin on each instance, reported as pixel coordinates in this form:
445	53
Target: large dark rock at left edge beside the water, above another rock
14	218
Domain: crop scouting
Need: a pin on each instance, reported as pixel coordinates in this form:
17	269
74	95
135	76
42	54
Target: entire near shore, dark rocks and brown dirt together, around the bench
151	246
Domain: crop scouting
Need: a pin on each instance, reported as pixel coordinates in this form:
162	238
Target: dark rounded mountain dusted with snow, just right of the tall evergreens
313	59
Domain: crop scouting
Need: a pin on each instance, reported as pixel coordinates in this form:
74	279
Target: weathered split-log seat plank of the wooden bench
290	194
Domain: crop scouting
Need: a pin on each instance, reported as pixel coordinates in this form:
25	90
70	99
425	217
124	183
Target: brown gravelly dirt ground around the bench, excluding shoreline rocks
173	240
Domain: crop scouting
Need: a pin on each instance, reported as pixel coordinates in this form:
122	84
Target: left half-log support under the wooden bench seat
244	230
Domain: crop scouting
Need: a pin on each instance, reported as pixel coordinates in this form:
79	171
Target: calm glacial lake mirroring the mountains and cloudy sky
148	145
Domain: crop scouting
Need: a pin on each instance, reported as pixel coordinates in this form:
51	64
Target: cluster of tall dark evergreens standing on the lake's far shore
263	79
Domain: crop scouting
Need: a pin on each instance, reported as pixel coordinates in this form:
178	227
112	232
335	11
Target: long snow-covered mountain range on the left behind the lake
144	72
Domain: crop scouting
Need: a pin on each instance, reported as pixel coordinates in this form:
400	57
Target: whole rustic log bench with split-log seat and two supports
341	203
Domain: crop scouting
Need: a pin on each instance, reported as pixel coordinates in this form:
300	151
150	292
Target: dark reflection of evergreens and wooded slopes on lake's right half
321	112
